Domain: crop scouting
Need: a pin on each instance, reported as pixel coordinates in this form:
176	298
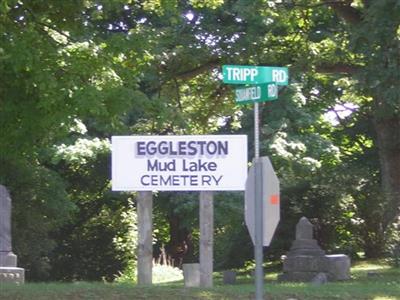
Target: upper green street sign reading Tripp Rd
236	74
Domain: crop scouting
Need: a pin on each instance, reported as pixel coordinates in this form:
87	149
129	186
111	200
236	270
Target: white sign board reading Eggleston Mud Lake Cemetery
179	163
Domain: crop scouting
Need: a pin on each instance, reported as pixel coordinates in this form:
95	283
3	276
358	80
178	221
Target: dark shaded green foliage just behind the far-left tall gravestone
40	206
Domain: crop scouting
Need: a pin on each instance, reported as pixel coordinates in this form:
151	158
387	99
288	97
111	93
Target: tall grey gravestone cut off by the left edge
8	260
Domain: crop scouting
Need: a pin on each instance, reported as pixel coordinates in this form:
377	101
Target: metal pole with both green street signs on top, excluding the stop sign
255	76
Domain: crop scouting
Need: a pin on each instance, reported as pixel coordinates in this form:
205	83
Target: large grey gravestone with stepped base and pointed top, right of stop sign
306	259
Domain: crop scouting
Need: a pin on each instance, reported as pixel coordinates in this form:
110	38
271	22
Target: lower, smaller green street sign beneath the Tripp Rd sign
257	93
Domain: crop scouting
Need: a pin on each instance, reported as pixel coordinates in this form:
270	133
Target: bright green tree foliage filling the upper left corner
50	78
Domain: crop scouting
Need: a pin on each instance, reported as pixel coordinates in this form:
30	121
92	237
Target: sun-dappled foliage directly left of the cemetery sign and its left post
102	233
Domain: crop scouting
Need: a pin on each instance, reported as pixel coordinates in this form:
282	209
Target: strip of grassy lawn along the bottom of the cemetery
383	285
